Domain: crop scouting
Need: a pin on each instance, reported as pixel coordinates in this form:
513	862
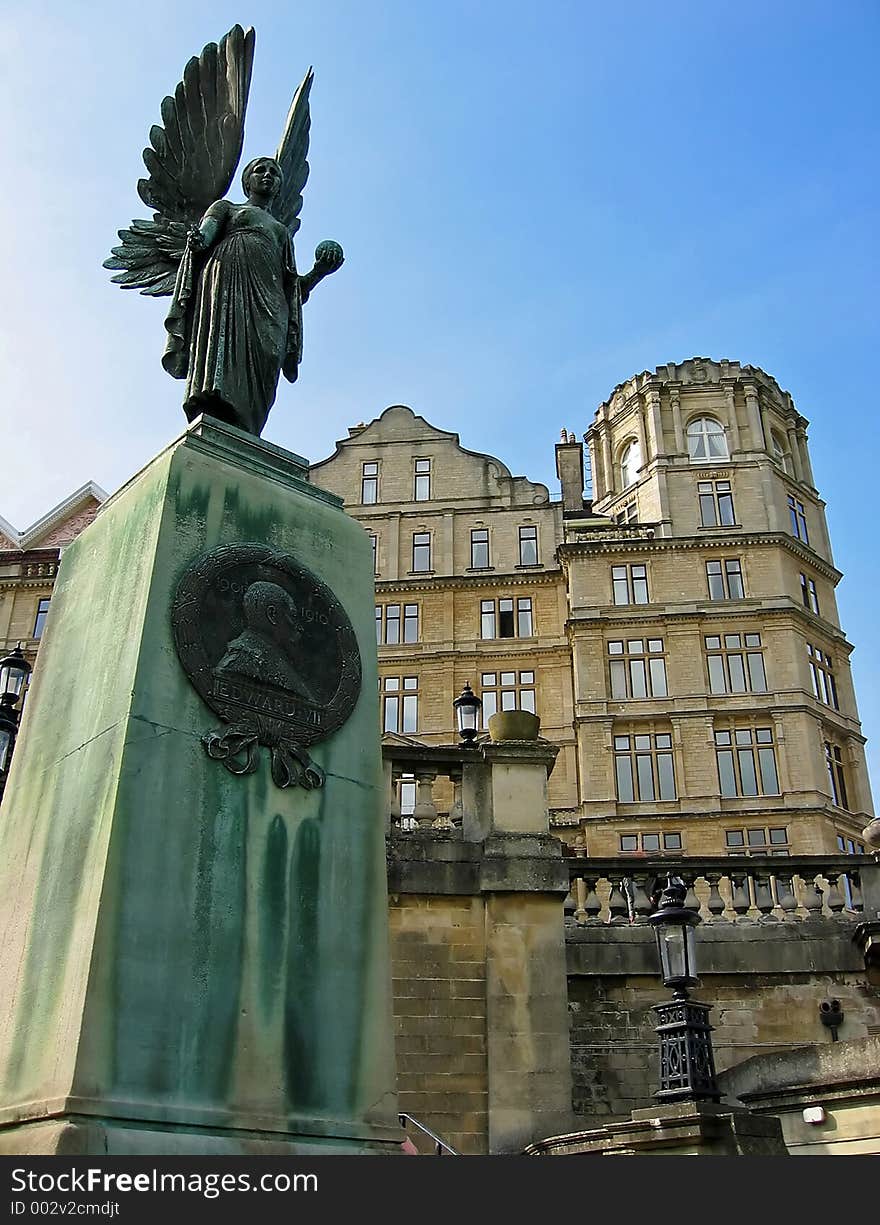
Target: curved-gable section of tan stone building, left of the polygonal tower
469	585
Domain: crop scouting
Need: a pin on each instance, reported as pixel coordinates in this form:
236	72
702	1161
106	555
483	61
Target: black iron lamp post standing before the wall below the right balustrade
686	1042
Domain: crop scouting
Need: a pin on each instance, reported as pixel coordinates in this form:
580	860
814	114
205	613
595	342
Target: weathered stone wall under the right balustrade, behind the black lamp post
764	981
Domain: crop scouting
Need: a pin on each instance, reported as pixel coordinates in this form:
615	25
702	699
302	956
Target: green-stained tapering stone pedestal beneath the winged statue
192	962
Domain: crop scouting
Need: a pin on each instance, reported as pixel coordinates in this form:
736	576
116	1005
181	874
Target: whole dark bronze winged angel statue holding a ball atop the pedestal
236	320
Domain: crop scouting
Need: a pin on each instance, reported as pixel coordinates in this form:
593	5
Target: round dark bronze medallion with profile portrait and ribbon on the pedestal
271	651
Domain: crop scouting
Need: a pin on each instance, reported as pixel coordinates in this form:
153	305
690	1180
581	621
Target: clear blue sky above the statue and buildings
536	202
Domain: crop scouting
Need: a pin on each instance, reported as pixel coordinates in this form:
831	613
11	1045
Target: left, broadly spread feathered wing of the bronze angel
192	162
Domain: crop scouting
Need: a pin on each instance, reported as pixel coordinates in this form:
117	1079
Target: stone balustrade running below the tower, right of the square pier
726	890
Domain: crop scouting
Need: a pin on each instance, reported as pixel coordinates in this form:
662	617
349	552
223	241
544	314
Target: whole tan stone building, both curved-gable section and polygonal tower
678	634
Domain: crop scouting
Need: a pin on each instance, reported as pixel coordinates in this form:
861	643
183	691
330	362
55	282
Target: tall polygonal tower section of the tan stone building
715	709
